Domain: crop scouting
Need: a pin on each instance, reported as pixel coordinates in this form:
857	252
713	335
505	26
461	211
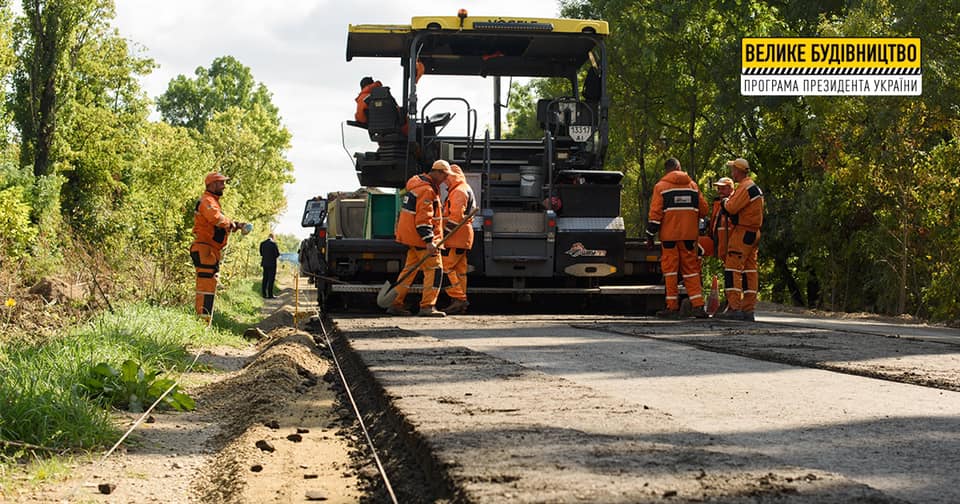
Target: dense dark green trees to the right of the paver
862	192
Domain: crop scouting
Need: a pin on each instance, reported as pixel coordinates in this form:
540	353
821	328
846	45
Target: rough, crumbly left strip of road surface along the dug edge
493	431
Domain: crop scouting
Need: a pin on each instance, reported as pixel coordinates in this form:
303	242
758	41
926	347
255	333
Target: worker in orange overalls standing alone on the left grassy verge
211	230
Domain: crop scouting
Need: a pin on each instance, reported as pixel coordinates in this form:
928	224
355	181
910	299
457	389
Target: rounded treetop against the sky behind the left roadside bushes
227	83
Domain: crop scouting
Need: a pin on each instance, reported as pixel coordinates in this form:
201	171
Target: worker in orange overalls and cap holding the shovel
420	228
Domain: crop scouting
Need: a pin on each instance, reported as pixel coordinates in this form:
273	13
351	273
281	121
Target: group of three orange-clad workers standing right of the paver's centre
677	209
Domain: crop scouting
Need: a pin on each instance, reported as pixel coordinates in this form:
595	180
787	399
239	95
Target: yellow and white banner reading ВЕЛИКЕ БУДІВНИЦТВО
830	66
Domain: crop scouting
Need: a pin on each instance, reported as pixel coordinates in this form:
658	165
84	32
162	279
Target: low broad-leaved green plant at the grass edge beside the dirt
132	387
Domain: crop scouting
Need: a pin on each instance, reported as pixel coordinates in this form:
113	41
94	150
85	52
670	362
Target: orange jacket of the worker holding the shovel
419	222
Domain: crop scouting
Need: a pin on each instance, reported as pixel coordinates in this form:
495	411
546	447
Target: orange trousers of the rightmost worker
740	278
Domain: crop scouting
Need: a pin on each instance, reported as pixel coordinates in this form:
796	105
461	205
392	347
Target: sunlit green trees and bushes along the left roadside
87	180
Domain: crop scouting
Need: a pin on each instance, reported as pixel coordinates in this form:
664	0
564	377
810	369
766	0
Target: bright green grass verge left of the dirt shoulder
38	401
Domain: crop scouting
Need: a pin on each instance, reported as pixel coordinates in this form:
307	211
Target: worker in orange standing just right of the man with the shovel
460	202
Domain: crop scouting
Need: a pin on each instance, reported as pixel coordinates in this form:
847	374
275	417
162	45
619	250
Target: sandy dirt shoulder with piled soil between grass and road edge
269	427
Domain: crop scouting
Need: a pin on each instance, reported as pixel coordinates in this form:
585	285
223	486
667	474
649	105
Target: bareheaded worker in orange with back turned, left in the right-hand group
675	211
